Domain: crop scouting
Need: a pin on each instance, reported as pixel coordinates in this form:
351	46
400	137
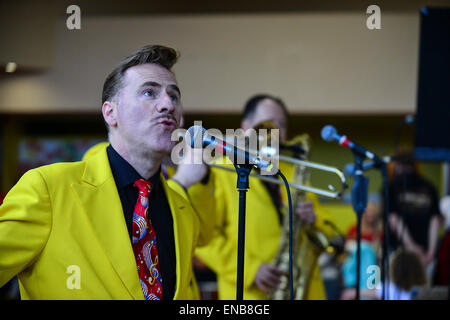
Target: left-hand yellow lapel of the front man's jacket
101	203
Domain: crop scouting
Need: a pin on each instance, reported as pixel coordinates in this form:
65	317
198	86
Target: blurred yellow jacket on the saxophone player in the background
262	234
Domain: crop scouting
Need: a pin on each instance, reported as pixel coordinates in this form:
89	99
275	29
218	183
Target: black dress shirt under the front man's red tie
159	213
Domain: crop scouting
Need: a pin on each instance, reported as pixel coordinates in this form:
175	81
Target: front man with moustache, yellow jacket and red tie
65	228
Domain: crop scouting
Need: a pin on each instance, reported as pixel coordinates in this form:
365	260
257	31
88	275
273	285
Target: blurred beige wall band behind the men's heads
318	62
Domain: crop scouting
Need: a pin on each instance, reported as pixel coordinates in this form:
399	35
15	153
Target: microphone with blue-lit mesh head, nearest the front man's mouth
197	136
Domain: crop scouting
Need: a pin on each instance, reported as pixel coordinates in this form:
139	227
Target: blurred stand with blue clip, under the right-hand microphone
359	203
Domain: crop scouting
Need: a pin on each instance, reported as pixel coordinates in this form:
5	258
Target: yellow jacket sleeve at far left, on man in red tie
25	225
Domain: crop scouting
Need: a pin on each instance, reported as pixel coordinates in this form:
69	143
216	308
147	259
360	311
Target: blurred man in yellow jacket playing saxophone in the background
263	219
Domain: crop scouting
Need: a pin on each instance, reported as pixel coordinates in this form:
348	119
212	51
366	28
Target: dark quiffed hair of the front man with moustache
164	56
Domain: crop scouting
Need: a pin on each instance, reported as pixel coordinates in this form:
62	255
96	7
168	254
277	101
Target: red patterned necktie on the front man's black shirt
144	245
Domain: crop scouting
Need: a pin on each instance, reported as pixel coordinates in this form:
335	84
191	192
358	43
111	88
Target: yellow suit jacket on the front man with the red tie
63	232
